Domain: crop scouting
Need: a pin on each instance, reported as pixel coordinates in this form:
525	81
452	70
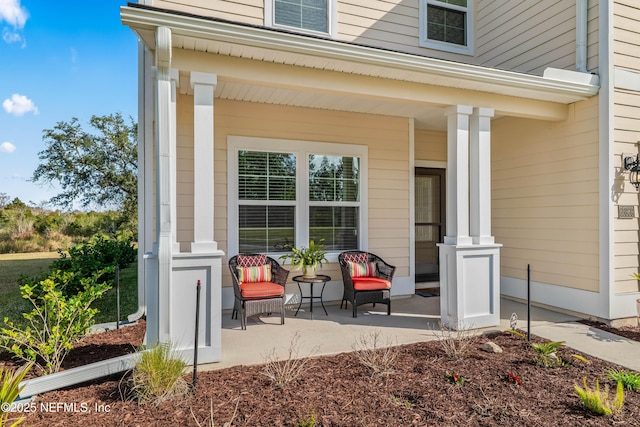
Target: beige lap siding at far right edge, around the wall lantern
626	110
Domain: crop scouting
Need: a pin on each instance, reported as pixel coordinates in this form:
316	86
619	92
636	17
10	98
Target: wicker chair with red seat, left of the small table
258	297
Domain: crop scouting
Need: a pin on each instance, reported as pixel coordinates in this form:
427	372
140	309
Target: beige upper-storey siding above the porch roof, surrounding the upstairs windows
519	35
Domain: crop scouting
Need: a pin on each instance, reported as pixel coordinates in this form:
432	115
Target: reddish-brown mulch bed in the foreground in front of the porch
340	391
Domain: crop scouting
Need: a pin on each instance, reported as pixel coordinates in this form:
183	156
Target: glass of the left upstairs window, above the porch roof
307	14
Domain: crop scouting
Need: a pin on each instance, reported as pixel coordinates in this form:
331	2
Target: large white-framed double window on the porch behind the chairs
285	192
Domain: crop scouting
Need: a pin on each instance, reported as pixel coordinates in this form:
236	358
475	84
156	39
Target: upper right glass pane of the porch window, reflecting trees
334	178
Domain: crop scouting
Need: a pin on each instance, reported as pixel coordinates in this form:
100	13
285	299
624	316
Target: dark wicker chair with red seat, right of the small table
374	288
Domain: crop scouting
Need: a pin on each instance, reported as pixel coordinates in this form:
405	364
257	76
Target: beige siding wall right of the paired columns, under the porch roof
545	197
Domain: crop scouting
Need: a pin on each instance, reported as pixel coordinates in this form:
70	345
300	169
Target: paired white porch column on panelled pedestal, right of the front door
469	258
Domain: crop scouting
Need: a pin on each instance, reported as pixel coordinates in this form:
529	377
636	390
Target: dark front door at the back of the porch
429	222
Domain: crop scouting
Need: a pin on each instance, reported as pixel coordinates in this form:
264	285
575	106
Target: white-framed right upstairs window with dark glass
447	25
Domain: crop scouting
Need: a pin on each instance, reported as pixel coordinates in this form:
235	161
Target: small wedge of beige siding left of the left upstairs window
245	11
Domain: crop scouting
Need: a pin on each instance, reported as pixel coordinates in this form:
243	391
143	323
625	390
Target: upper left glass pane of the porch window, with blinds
266	176
